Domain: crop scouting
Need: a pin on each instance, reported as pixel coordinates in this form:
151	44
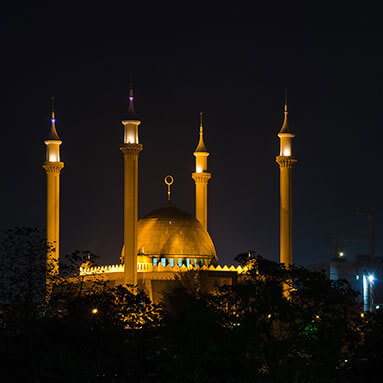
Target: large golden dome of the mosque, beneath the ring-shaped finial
170	232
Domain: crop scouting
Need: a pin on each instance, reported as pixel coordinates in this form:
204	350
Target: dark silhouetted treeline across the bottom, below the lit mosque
276	324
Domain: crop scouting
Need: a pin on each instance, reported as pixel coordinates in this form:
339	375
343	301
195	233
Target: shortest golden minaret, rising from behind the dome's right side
201	178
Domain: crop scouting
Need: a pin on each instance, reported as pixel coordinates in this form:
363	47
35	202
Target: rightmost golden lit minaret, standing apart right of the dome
286	162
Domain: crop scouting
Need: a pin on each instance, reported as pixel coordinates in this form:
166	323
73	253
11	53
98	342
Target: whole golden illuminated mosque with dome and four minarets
168	240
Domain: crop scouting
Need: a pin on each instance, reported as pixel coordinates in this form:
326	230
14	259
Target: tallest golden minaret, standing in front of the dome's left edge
131	149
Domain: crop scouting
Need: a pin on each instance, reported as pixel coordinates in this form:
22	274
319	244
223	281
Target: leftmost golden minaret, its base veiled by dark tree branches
53	166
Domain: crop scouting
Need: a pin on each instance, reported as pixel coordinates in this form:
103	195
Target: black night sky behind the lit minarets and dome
232	63
